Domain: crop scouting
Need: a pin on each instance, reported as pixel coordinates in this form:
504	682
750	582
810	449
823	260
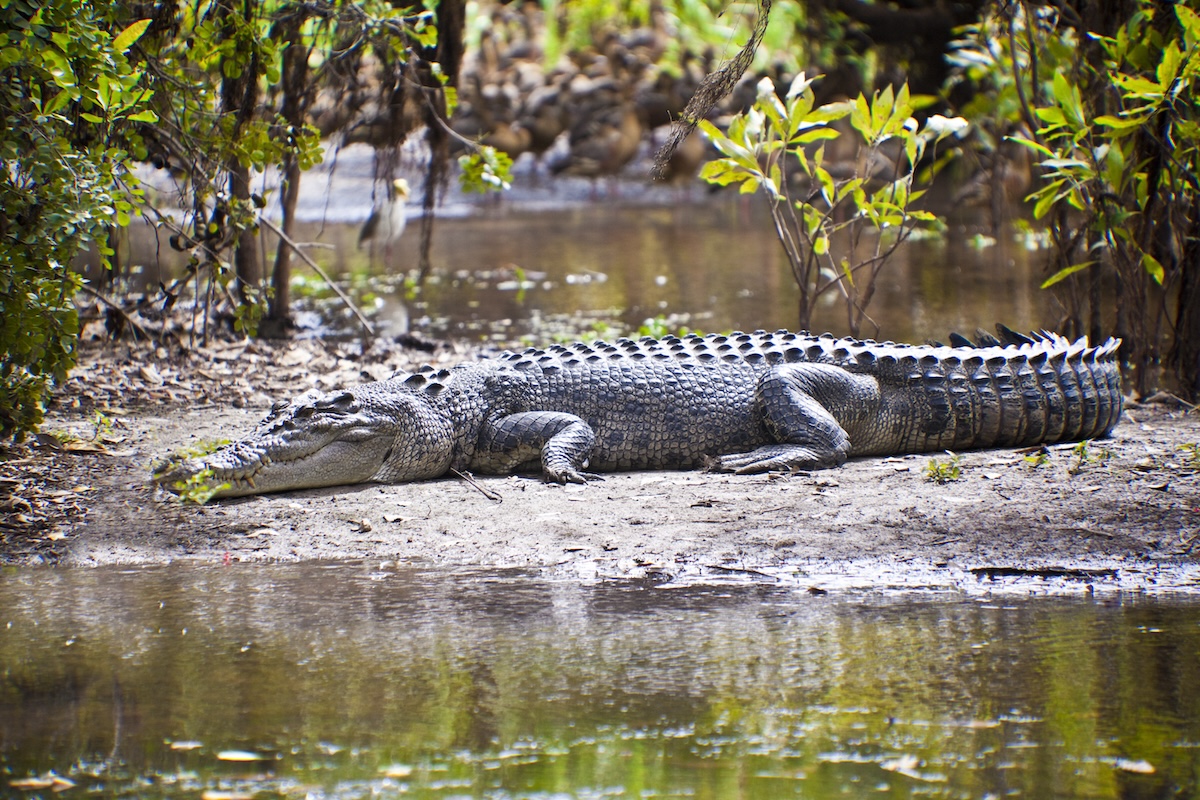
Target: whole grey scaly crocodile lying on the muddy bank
743	404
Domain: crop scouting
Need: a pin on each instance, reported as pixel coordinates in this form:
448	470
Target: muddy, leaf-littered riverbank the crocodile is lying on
1123	514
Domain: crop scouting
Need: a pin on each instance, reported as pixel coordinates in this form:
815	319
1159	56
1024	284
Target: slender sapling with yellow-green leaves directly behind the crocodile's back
778	148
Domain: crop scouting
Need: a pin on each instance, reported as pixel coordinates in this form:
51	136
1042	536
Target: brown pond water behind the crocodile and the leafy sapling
712	266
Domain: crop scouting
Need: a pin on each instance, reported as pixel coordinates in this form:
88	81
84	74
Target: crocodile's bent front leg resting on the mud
562	442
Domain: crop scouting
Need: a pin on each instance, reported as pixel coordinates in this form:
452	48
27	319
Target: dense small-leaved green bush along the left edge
70	100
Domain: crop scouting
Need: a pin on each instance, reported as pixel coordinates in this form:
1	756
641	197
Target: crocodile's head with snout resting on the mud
374	432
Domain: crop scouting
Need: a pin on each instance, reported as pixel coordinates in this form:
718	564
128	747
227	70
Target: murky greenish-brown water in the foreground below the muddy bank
367	682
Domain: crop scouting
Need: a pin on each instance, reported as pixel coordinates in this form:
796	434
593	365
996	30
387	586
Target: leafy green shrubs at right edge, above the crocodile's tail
1108	118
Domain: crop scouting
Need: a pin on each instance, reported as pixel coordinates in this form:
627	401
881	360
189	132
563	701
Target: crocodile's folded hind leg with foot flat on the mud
795	402
